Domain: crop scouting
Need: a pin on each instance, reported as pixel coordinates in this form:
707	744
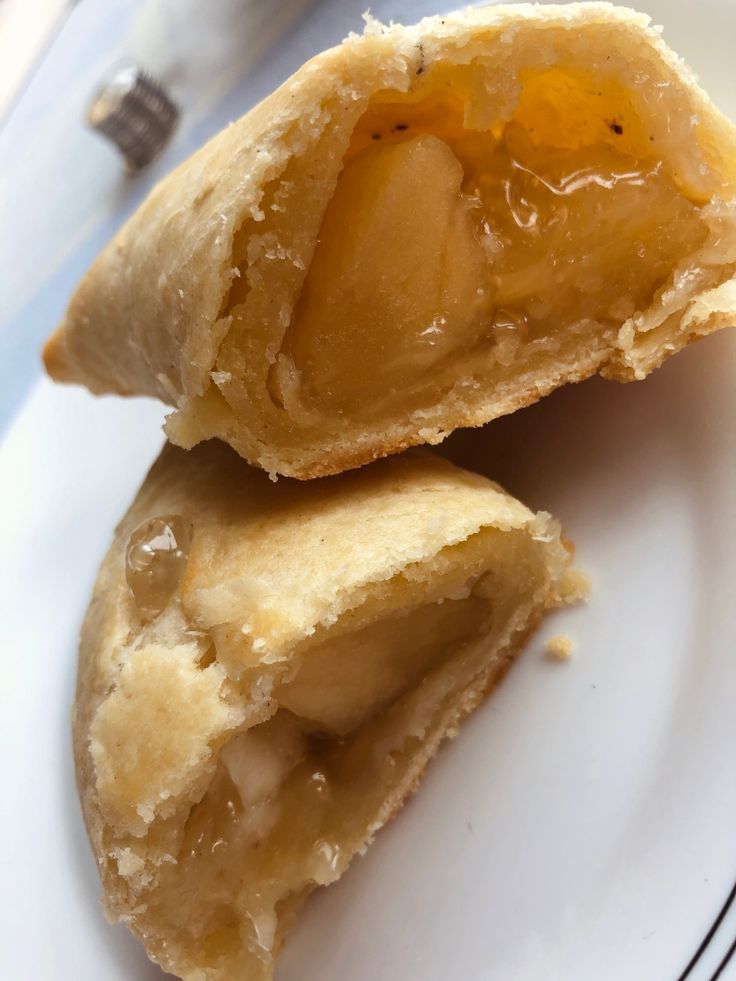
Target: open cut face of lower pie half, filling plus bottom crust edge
295	797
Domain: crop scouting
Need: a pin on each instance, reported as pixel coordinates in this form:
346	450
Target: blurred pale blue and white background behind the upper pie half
64	190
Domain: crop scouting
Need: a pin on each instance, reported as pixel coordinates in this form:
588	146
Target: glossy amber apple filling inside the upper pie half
448	242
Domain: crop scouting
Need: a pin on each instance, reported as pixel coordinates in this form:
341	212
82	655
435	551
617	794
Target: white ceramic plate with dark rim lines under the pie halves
581	828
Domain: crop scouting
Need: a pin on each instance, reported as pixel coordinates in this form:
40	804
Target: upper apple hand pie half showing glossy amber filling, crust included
424	228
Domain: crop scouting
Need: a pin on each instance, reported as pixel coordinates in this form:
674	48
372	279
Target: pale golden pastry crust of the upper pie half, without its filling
151	314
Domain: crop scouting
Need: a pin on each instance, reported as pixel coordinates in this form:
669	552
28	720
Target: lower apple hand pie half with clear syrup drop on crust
265	671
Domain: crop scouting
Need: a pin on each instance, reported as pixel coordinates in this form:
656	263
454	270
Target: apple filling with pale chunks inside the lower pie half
291	797
